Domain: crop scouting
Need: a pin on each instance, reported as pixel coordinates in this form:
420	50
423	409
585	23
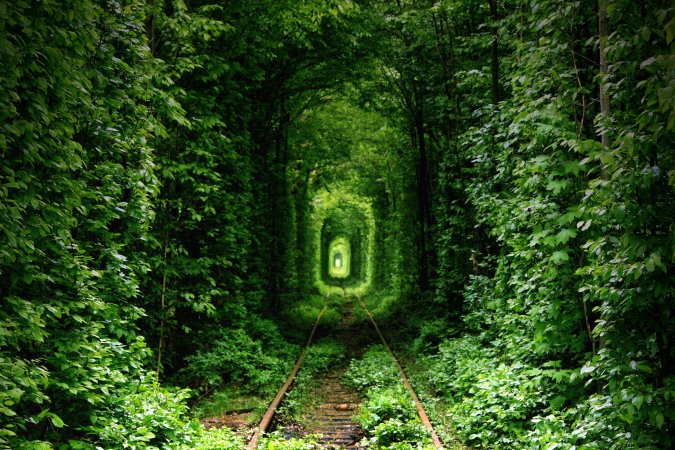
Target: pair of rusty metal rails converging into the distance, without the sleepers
269	414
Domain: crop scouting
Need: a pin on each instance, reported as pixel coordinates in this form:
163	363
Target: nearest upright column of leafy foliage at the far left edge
75	204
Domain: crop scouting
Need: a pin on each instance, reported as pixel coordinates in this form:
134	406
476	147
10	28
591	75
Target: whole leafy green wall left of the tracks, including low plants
144	185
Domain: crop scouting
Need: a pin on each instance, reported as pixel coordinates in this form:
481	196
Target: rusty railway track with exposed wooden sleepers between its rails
333	419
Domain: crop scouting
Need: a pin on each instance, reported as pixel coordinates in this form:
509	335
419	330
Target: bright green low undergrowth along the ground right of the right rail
489	393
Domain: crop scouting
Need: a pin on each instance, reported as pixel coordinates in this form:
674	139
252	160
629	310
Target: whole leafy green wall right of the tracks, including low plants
550	239
